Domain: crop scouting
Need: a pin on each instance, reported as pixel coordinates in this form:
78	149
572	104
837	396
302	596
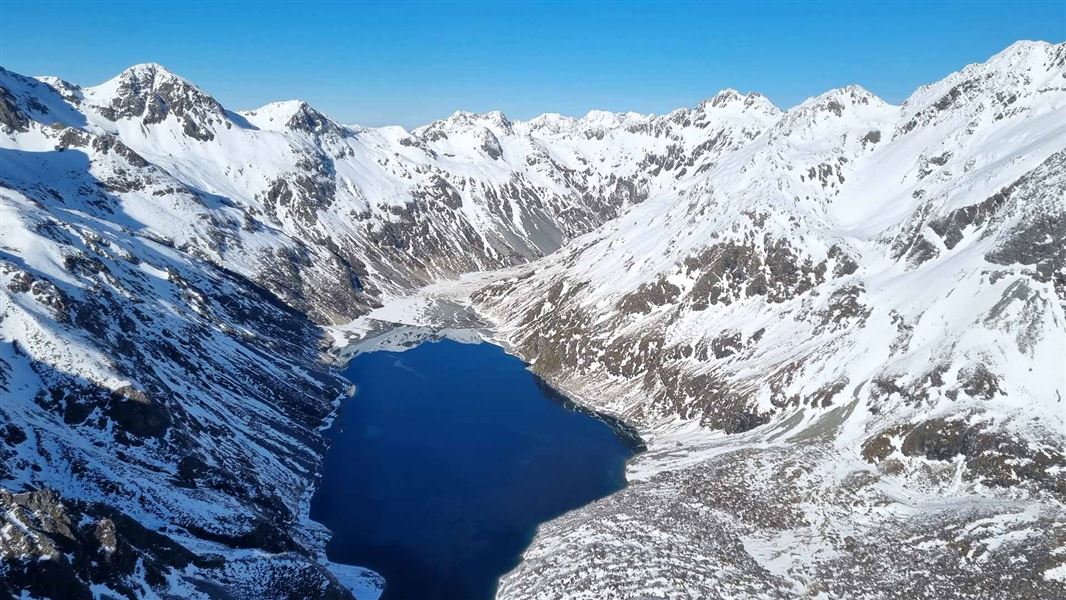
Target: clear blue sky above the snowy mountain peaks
409	63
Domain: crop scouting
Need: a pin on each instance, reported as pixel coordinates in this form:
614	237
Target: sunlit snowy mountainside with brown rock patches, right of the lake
867	302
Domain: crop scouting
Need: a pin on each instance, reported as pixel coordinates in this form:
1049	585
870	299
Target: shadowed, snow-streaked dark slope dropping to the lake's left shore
134	384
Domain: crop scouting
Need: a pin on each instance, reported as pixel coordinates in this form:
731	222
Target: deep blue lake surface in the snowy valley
446	461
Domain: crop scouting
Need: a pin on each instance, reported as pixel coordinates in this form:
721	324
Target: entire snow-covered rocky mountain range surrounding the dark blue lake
841	328
